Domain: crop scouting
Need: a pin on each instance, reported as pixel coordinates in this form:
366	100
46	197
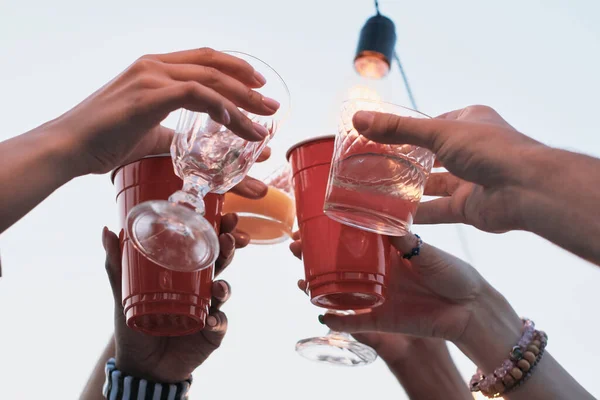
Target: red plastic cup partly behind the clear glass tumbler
345	268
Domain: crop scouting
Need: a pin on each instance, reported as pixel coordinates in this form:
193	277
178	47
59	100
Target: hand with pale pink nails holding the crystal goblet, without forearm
121	121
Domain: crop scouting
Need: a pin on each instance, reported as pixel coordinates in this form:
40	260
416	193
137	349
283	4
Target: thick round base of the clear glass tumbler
367	220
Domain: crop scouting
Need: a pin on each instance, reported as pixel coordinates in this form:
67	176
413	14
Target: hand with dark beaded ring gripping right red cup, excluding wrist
430	296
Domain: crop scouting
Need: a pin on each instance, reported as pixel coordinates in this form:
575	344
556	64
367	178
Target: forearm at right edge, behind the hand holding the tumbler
561	194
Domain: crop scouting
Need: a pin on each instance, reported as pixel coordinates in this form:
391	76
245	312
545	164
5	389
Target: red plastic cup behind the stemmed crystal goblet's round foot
158	301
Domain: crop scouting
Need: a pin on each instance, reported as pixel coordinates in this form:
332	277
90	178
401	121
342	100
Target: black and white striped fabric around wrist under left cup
123	387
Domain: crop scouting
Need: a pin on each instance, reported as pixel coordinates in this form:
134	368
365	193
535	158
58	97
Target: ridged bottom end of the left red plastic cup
167	319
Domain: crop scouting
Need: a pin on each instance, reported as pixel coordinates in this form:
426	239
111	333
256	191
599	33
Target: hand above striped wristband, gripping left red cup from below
173	359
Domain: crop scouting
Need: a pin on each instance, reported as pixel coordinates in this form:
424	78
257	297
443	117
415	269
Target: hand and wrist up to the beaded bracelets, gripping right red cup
434	295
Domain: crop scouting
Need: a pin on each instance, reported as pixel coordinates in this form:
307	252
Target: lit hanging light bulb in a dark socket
375	47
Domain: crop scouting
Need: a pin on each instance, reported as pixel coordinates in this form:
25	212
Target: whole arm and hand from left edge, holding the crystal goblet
120	123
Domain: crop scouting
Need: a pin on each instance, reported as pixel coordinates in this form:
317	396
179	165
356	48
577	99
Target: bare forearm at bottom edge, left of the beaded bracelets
430	373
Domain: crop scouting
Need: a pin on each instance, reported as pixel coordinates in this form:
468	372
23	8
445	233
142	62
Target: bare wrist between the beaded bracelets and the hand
492	331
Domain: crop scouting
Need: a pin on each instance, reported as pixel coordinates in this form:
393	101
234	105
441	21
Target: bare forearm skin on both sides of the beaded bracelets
494	328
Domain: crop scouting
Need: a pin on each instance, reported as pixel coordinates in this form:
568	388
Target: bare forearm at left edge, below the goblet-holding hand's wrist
32	166
